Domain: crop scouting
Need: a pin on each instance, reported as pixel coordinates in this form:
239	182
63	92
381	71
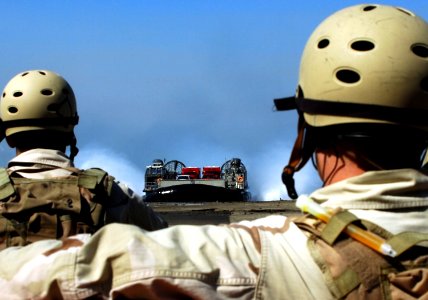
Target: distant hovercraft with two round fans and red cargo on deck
174	182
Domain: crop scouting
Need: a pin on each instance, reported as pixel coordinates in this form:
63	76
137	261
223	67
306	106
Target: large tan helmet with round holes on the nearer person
362	65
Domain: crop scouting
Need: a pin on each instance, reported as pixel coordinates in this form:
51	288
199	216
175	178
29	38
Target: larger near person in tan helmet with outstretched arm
362	100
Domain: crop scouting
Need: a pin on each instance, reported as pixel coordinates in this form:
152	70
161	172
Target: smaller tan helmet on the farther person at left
38	100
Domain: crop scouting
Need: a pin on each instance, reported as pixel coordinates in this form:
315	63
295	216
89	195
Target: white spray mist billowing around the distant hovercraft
264	172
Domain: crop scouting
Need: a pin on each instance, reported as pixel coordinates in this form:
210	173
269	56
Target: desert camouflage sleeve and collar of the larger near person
262	259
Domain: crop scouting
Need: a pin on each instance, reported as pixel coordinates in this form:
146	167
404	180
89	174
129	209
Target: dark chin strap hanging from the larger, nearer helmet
298	159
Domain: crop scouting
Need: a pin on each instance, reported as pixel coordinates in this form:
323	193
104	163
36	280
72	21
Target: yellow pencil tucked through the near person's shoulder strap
363	236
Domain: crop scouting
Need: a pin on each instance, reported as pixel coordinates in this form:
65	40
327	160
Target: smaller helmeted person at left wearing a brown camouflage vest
42	194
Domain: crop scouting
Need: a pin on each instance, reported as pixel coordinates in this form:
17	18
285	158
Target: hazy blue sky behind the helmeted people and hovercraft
178	80
